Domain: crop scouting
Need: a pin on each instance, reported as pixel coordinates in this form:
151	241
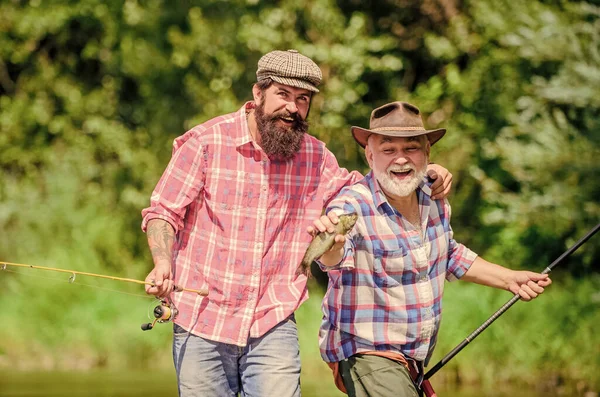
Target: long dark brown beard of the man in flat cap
279	143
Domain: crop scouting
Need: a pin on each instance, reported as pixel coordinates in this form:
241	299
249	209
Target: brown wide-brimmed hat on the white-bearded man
399	119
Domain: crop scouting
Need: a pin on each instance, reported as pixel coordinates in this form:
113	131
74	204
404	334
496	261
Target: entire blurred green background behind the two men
92	94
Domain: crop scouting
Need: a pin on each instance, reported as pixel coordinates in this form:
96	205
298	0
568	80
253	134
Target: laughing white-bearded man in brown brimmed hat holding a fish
383	305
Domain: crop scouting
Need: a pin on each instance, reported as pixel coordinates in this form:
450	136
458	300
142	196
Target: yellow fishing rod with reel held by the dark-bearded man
163	312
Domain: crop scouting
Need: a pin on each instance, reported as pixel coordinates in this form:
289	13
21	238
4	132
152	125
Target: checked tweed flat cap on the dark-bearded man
289	68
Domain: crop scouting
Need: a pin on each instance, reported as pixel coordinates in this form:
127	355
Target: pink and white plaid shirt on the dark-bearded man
241	221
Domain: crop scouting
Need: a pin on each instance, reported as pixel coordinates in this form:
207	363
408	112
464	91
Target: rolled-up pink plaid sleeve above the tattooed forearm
179	185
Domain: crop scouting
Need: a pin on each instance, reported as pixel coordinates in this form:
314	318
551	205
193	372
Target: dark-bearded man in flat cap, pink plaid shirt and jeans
228	216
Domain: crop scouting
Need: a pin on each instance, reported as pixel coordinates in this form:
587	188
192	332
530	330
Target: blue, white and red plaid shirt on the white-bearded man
386	293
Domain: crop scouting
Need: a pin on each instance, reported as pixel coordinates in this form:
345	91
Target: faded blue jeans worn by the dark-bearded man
267	366
